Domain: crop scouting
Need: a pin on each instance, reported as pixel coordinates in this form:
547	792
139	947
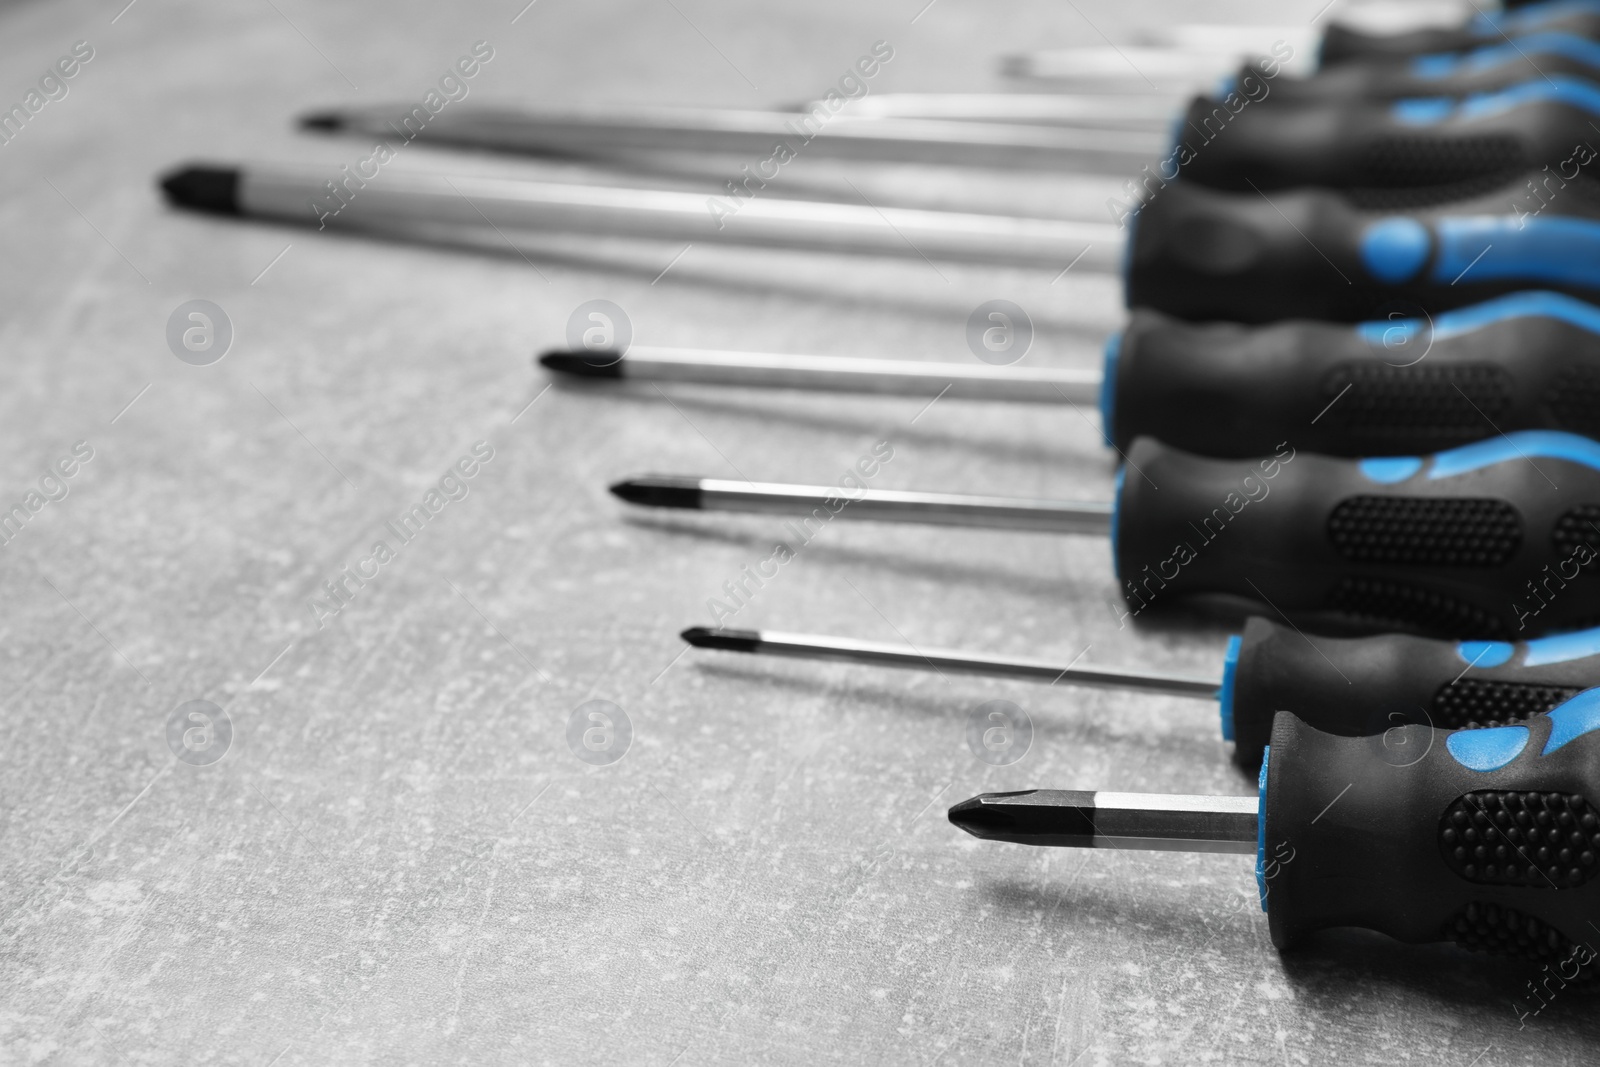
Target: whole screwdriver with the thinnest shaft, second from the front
1353	687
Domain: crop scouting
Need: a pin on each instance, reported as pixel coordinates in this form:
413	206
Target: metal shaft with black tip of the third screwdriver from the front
814	502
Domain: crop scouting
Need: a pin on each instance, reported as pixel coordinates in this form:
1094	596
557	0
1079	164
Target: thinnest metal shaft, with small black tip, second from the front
884	655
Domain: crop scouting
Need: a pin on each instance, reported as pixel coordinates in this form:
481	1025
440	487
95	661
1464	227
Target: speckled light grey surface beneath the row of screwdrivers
399	860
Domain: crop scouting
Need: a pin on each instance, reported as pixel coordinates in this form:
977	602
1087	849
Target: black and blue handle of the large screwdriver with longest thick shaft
1209	255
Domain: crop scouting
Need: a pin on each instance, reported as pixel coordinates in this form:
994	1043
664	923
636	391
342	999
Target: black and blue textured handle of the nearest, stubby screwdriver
1423	847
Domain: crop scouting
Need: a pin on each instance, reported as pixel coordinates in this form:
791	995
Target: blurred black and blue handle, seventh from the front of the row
1484	70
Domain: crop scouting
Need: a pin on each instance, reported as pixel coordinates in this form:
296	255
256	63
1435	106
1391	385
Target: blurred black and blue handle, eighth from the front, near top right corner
1345	44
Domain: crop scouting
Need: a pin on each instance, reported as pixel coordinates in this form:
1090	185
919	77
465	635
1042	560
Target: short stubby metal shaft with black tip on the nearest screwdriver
1177	823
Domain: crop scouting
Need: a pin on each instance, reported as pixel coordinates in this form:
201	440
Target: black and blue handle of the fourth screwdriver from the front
1522	362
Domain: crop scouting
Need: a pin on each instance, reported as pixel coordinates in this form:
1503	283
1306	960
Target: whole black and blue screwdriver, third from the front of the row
1489	541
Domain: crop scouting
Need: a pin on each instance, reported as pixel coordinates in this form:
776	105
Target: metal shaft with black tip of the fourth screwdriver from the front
826	374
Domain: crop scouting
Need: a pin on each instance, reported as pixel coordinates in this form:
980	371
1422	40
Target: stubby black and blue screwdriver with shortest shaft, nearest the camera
1482	837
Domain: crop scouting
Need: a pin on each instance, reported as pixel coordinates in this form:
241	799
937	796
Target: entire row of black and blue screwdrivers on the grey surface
1354	407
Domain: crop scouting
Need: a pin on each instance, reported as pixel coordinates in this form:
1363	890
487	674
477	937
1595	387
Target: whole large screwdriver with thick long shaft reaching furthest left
1196	254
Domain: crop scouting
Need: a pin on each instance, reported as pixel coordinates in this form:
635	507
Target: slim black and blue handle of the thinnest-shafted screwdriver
1367	687
